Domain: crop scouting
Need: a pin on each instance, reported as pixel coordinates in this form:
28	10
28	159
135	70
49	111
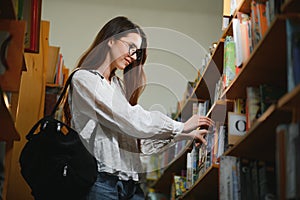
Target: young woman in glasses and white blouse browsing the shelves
105	112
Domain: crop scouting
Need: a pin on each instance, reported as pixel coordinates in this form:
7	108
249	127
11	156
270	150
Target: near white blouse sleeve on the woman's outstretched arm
93	96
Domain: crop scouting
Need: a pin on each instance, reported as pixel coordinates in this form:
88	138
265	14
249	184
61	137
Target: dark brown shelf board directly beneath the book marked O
259	142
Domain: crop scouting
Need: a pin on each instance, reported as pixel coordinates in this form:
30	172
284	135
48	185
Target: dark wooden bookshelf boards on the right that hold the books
267	64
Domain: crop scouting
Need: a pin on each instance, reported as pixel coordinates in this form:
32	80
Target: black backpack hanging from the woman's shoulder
54	162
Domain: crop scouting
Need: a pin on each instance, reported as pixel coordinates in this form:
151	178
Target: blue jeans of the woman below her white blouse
109	187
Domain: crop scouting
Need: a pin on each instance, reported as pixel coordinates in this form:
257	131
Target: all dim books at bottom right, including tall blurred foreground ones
241	178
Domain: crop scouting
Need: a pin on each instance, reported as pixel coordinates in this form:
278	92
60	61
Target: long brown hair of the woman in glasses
134	78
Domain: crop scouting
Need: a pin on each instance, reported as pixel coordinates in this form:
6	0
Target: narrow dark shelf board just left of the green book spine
205	87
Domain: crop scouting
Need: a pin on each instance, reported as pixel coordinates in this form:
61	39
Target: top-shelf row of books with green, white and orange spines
248	30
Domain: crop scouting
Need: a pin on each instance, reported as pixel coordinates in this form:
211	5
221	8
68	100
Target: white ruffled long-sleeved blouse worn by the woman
110	125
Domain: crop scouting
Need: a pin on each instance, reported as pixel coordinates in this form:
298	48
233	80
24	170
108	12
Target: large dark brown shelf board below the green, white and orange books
267	63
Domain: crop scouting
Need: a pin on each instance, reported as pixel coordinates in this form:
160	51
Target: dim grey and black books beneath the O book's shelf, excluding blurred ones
241	178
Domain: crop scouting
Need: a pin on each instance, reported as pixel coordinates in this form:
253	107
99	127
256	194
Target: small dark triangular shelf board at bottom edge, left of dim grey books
206	186
